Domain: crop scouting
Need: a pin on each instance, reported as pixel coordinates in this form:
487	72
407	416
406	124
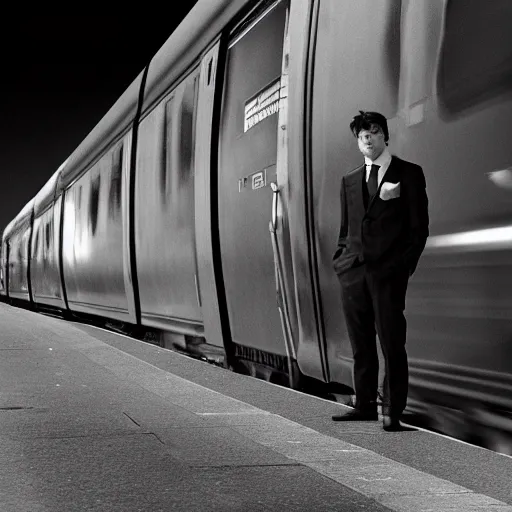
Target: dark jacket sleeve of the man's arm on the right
417	205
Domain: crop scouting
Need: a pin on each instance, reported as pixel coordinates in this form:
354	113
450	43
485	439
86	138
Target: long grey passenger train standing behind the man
205	204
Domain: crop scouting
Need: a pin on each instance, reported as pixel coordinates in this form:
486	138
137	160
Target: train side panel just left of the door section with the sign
165	213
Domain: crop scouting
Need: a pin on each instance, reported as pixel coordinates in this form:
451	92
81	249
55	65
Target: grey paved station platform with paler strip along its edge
95	421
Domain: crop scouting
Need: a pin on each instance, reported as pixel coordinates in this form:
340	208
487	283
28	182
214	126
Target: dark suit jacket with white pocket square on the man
387	235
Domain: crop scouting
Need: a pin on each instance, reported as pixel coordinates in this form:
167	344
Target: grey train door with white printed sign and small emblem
247	168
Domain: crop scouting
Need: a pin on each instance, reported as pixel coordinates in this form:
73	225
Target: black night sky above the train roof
60	76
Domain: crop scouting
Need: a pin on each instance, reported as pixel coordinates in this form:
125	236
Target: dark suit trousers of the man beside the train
375	306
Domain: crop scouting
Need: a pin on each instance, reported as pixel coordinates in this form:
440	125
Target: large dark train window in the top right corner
476	54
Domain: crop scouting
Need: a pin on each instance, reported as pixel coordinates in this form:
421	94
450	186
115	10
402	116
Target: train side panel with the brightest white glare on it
93	239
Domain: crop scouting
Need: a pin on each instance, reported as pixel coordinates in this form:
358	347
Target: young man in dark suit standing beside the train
384	228
